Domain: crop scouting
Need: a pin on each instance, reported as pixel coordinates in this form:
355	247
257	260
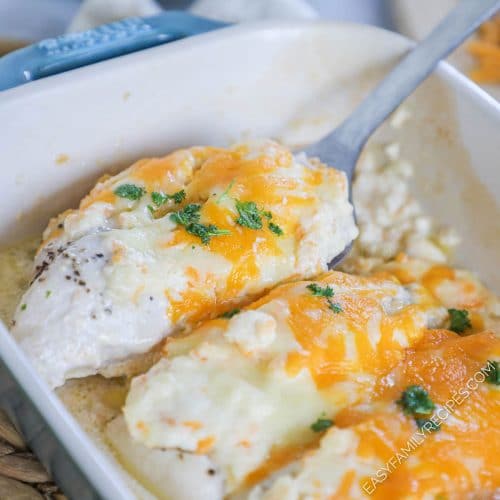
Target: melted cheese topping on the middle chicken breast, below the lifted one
274	368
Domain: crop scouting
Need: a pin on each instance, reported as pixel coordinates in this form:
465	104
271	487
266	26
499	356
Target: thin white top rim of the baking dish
91	462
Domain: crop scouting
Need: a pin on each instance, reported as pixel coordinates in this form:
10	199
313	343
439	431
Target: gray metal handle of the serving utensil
409	73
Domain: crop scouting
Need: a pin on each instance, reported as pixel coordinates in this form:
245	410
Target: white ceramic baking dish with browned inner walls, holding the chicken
288	81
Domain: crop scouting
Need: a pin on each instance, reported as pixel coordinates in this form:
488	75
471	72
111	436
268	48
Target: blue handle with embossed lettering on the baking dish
56	55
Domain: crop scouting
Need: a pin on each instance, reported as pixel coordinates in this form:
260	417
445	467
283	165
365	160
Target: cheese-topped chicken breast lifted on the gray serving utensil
172	241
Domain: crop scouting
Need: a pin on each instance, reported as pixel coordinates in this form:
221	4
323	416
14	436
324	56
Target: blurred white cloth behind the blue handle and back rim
95	12
